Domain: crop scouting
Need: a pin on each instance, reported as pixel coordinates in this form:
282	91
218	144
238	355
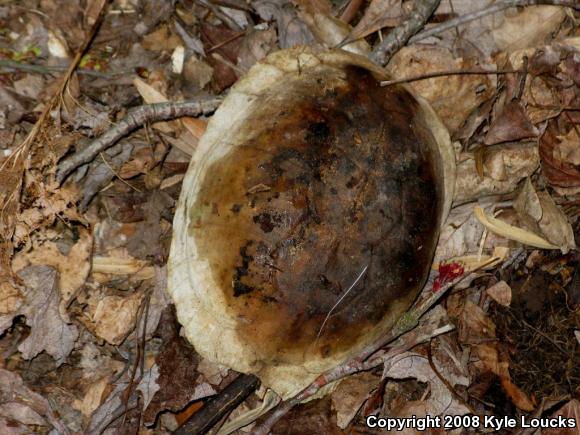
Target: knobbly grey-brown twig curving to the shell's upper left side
135	118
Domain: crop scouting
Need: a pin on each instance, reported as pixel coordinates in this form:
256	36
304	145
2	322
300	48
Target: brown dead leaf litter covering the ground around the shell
89	342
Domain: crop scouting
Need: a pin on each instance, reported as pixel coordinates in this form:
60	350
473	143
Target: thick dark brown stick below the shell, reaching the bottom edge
216	408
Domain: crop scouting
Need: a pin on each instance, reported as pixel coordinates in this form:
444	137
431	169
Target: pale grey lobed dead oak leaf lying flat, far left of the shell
50	330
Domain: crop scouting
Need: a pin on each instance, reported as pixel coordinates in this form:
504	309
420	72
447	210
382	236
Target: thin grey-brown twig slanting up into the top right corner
492	9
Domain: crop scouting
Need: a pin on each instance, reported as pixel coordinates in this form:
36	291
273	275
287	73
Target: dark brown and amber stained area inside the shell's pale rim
343	181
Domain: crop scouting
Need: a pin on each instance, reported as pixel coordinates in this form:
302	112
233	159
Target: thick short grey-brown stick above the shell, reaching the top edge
383	52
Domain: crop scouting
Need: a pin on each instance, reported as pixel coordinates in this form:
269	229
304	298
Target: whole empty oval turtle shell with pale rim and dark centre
309	216
